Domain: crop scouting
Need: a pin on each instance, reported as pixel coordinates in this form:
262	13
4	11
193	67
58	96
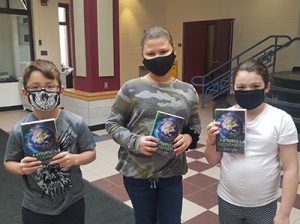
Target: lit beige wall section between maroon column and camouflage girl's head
134	17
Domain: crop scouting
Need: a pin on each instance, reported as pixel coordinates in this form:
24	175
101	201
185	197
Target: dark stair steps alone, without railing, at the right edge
285	94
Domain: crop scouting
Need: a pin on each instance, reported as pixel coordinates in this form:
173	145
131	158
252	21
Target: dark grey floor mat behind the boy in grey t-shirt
100	207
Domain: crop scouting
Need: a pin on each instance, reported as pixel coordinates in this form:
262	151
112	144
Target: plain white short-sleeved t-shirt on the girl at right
252	179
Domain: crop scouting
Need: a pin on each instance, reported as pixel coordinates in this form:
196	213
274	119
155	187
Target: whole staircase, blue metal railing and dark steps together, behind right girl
285	88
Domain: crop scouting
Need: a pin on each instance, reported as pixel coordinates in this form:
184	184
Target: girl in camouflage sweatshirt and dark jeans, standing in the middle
154	180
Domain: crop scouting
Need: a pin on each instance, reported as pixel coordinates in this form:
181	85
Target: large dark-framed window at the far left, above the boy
16	38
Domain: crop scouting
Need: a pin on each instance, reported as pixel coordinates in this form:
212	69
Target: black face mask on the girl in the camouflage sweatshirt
160	65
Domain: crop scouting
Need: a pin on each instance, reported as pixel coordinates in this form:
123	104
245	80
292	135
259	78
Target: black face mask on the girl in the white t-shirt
249	99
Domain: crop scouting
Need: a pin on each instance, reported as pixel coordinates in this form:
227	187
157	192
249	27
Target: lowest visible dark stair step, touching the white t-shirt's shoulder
292	108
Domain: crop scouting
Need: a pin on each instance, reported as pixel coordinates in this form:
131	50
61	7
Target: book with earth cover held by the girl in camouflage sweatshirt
166	128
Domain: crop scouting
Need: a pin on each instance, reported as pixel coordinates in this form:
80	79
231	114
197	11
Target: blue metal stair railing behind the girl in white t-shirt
213	88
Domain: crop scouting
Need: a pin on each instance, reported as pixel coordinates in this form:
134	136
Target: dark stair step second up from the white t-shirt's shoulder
285	94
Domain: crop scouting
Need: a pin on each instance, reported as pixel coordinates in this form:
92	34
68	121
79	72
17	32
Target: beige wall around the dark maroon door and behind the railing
254	20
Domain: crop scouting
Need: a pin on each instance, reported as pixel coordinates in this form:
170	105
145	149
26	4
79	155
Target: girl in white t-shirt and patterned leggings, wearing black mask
249	182
